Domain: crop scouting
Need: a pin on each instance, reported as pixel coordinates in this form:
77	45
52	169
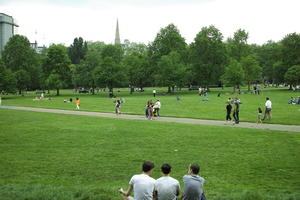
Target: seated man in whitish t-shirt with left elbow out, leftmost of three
141	184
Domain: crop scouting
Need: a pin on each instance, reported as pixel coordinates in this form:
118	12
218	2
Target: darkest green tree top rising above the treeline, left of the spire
77	50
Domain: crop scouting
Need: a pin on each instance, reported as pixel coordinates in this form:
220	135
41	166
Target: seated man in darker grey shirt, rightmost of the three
193	184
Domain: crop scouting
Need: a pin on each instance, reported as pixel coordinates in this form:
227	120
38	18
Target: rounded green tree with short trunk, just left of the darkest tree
57	68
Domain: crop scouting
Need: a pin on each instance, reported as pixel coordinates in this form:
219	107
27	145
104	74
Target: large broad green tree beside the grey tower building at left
22	60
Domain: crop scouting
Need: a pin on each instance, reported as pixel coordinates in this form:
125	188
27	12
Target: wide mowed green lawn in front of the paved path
52	156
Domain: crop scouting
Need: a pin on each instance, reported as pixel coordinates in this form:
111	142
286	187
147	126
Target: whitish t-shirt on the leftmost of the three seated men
143	186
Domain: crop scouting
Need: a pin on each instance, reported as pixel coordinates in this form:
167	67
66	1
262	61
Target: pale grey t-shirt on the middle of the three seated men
167	188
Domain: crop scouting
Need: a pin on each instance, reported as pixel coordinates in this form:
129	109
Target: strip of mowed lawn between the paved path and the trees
190	105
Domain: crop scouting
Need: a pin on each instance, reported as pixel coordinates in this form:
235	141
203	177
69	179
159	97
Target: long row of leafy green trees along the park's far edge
167	61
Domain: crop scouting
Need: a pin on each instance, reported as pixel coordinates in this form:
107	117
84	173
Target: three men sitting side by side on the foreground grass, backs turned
147	188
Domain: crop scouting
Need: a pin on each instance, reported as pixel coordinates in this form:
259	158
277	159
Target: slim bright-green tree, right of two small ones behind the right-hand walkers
252	69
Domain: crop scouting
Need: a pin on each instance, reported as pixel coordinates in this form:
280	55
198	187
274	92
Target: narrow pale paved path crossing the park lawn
279	127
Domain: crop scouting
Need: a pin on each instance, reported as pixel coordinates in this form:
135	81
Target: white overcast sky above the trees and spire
60	21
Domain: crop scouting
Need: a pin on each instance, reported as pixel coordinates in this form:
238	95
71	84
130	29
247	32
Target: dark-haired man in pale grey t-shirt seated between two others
166	187
